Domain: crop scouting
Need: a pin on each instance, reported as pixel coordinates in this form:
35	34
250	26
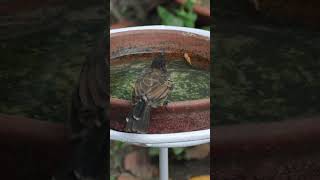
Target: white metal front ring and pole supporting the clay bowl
163	141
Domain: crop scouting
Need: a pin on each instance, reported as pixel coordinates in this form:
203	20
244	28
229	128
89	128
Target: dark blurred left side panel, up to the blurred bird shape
43	45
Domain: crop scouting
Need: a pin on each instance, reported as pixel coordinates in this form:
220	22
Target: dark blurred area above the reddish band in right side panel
272	49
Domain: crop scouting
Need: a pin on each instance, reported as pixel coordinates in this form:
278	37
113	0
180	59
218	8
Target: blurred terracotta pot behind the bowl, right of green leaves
203	12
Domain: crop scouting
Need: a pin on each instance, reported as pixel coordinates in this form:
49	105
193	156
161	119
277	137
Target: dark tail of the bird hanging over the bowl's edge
138	119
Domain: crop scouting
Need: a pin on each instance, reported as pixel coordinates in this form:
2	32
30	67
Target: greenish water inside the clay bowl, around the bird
189	83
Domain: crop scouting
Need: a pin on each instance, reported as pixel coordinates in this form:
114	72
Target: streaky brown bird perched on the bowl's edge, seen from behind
150	90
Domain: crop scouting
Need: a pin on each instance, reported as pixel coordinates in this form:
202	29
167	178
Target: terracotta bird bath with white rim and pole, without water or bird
180	123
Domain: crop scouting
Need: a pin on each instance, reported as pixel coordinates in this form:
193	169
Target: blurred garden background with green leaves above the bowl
187	13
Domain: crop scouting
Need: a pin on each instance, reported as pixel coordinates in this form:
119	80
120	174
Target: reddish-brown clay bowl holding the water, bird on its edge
148	42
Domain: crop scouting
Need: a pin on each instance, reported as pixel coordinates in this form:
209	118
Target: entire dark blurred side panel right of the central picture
266	73
